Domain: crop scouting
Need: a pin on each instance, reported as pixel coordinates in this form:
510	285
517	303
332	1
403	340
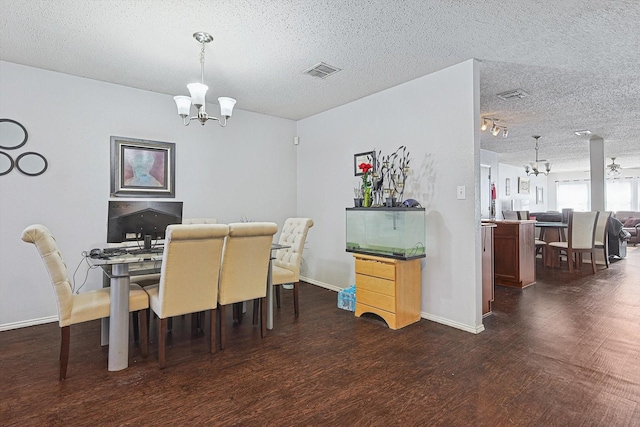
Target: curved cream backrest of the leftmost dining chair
46	245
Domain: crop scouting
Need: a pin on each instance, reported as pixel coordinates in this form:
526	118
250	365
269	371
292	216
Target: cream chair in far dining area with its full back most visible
581	230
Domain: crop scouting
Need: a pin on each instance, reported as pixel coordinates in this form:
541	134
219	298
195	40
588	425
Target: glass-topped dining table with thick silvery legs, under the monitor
118	267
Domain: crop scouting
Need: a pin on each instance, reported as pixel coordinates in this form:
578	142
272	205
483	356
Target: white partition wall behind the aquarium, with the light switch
436	117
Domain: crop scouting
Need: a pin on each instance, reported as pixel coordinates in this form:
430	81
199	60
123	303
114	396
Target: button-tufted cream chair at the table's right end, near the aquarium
286	266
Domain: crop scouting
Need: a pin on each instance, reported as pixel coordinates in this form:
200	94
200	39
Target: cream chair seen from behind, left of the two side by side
188	276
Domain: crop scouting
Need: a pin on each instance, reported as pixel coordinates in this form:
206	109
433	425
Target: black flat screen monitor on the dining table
131	221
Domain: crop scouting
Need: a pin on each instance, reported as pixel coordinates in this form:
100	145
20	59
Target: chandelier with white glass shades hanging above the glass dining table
198	92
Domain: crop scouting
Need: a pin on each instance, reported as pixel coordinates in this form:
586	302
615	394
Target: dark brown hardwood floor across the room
563	352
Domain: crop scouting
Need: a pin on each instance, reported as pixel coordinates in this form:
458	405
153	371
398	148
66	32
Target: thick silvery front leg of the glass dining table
119	318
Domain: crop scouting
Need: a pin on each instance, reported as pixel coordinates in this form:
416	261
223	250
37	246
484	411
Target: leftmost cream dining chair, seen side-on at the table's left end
78	308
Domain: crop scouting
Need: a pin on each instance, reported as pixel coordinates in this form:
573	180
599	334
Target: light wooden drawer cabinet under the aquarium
389	288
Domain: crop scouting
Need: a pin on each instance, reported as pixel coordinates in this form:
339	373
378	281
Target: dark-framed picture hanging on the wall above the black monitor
141	168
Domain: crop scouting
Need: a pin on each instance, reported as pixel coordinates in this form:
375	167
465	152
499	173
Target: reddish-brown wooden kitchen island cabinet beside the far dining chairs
514	251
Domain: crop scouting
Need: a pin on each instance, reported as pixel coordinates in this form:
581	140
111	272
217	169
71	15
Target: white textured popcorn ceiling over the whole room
578	60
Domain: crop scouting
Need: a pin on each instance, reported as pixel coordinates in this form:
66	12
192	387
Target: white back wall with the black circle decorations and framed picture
246	169
